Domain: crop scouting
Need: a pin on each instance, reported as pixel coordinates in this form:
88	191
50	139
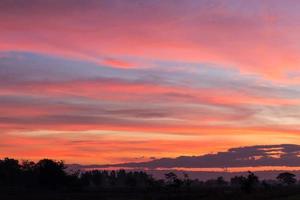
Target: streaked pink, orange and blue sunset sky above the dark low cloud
110	81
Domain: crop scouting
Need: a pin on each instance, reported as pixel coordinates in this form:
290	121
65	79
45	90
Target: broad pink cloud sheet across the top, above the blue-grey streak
263	42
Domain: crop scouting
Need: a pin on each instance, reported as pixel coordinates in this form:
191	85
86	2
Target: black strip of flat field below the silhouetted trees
278	194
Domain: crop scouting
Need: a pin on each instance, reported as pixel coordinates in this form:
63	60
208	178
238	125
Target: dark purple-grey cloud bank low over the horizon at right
253	156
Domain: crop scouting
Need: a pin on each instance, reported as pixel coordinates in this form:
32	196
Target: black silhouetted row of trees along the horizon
53	175
